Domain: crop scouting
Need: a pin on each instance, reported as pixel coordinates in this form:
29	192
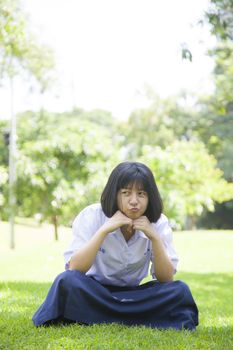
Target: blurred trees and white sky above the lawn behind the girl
86	85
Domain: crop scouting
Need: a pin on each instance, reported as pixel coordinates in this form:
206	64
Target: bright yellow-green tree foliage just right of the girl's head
187	177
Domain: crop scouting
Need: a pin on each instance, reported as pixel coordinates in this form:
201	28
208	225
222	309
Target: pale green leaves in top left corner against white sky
20	50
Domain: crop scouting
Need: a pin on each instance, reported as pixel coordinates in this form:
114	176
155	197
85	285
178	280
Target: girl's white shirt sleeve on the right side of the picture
163	229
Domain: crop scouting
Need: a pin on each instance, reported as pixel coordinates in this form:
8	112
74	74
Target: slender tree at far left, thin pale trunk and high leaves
19	52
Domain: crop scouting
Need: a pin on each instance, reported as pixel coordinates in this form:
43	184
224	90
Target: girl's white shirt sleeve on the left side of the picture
84	227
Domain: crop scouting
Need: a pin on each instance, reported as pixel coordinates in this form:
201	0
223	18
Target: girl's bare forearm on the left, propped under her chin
83	258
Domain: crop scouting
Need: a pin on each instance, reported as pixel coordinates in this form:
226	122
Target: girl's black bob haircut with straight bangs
124	175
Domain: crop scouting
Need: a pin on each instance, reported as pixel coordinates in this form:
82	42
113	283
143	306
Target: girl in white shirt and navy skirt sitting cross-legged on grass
113	245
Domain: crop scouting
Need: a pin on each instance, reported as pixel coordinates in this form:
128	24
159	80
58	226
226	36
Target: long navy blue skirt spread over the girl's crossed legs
75	297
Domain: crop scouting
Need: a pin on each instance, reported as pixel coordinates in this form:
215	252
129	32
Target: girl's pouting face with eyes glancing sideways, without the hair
132	201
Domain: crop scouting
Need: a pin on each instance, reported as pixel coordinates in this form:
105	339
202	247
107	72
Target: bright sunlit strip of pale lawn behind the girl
38	257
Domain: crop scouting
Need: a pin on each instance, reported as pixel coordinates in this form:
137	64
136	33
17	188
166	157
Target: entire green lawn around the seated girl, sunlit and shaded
27	272
